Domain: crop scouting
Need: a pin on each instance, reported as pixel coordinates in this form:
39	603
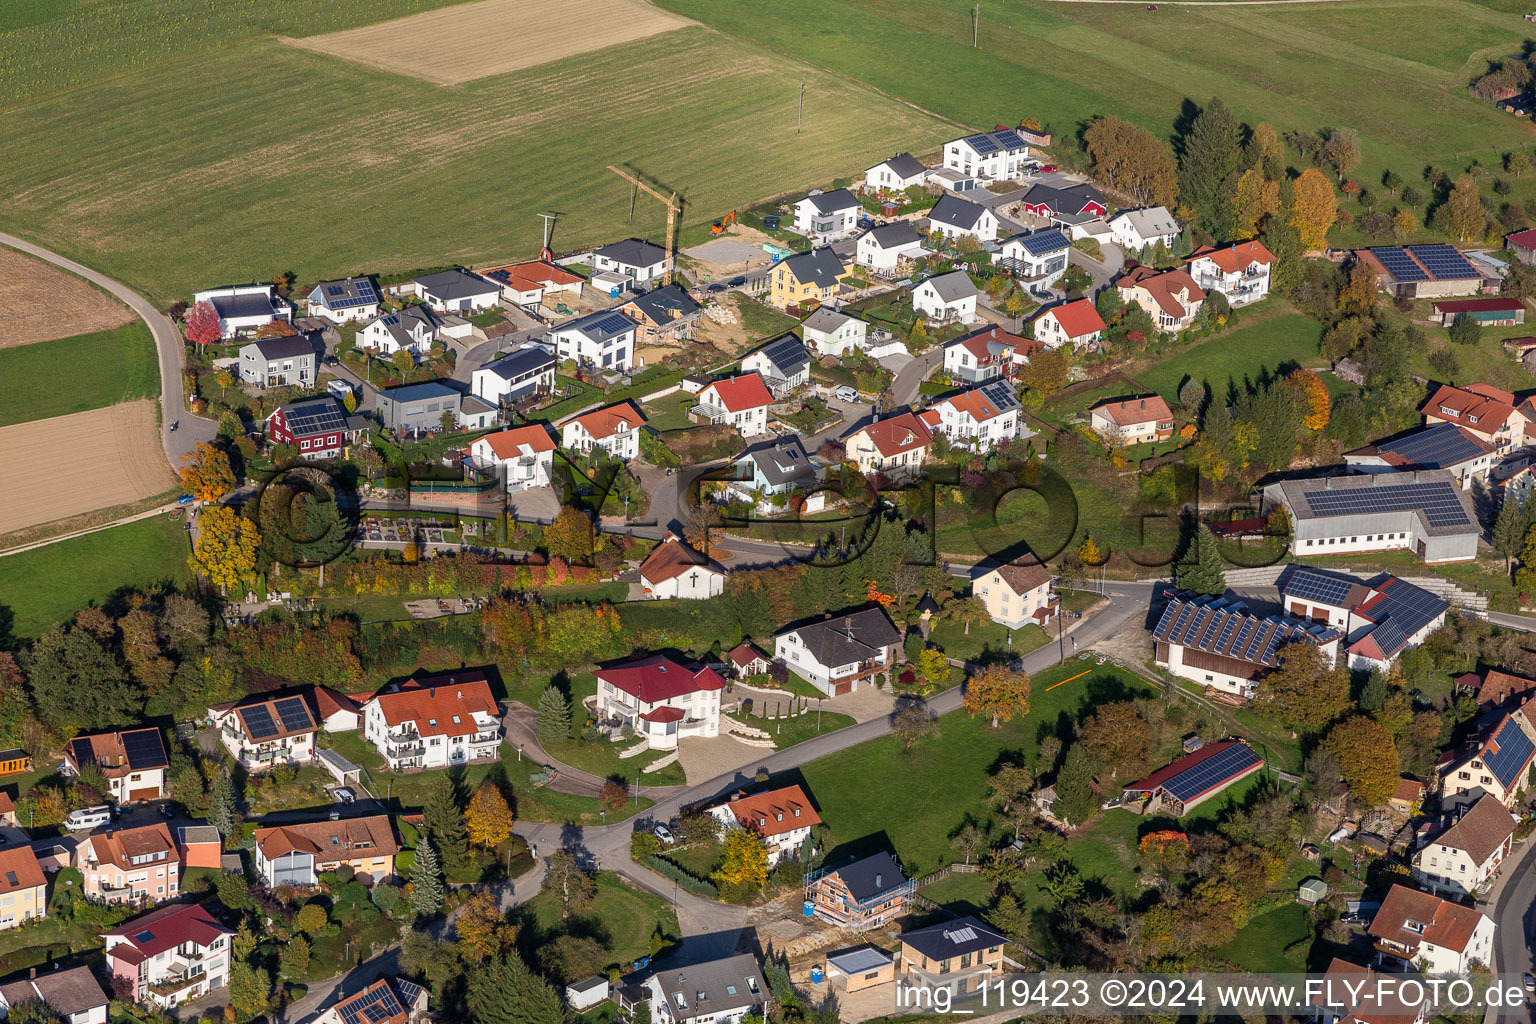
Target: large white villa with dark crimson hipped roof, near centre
661	701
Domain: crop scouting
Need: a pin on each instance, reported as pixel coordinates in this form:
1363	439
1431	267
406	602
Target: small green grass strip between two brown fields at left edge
104	369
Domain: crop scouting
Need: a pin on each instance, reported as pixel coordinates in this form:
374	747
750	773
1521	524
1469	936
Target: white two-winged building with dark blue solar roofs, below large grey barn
1382	618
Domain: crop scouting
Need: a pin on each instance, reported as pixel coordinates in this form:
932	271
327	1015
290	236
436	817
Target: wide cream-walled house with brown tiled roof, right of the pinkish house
300	854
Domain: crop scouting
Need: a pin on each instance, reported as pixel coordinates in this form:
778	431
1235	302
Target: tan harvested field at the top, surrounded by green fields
492	38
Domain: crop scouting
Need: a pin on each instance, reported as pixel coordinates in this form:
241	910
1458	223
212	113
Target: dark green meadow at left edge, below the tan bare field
51	584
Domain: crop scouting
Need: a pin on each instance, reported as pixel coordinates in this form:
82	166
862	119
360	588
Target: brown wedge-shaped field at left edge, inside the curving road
71	308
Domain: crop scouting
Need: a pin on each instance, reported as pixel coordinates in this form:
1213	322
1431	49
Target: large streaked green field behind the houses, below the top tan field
709	117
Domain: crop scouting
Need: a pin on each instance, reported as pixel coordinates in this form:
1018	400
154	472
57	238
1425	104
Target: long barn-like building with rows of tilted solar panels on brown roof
1222	646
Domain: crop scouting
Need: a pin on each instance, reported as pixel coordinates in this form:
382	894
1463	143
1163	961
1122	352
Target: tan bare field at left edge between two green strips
114	458
